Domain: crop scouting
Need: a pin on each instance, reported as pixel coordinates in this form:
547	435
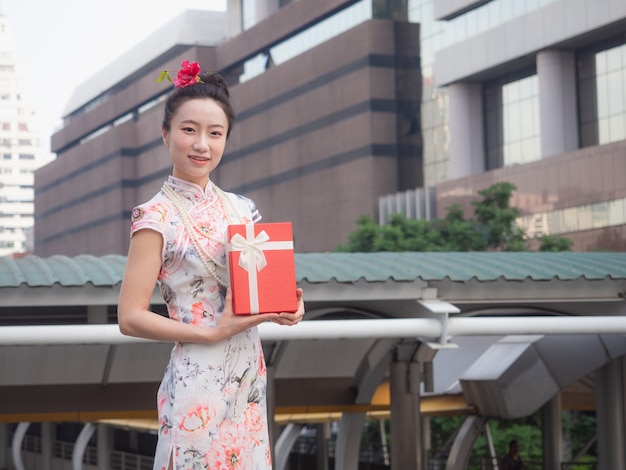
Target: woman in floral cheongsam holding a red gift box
211	402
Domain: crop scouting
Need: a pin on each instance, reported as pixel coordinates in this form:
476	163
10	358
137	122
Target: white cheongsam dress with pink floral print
212	400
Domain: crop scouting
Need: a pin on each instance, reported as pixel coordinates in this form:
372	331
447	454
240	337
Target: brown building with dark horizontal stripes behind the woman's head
321	132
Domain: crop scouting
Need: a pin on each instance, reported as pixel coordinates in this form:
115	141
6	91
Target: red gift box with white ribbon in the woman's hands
262	268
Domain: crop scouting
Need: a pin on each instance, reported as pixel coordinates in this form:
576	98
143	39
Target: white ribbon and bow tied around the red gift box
252	258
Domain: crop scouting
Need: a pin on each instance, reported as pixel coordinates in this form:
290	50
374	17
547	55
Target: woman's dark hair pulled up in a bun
211	85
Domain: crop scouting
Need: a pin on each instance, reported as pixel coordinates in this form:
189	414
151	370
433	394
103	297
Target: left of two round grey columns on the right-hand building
467	146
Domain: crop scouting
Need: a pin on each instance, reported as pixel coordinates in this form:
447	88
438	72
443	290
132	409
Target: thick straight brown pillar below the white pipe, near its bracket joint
406	439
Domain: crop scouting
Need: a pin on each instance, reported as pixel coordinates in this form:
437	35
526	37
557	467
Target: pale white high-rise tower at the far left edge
22	152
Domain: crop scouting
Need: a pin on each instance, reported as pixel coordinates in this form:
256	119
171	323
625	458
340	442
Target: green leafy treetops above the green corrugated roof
493	228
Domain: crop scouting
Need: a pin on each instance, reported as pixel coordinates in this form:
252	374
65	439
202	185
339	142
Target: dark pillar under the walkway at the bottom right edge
610	389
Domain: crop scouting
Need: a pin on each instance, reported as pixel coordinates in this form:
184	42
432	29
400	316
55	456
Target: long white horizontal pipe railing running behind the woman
423	328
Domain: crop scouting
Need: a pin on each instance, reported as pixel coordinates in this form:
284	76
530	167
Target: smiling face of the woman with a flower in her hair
196	139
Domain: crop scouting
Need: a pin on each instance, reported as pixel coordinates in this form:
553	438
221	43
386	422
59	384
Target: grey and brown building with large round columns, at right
536	95
